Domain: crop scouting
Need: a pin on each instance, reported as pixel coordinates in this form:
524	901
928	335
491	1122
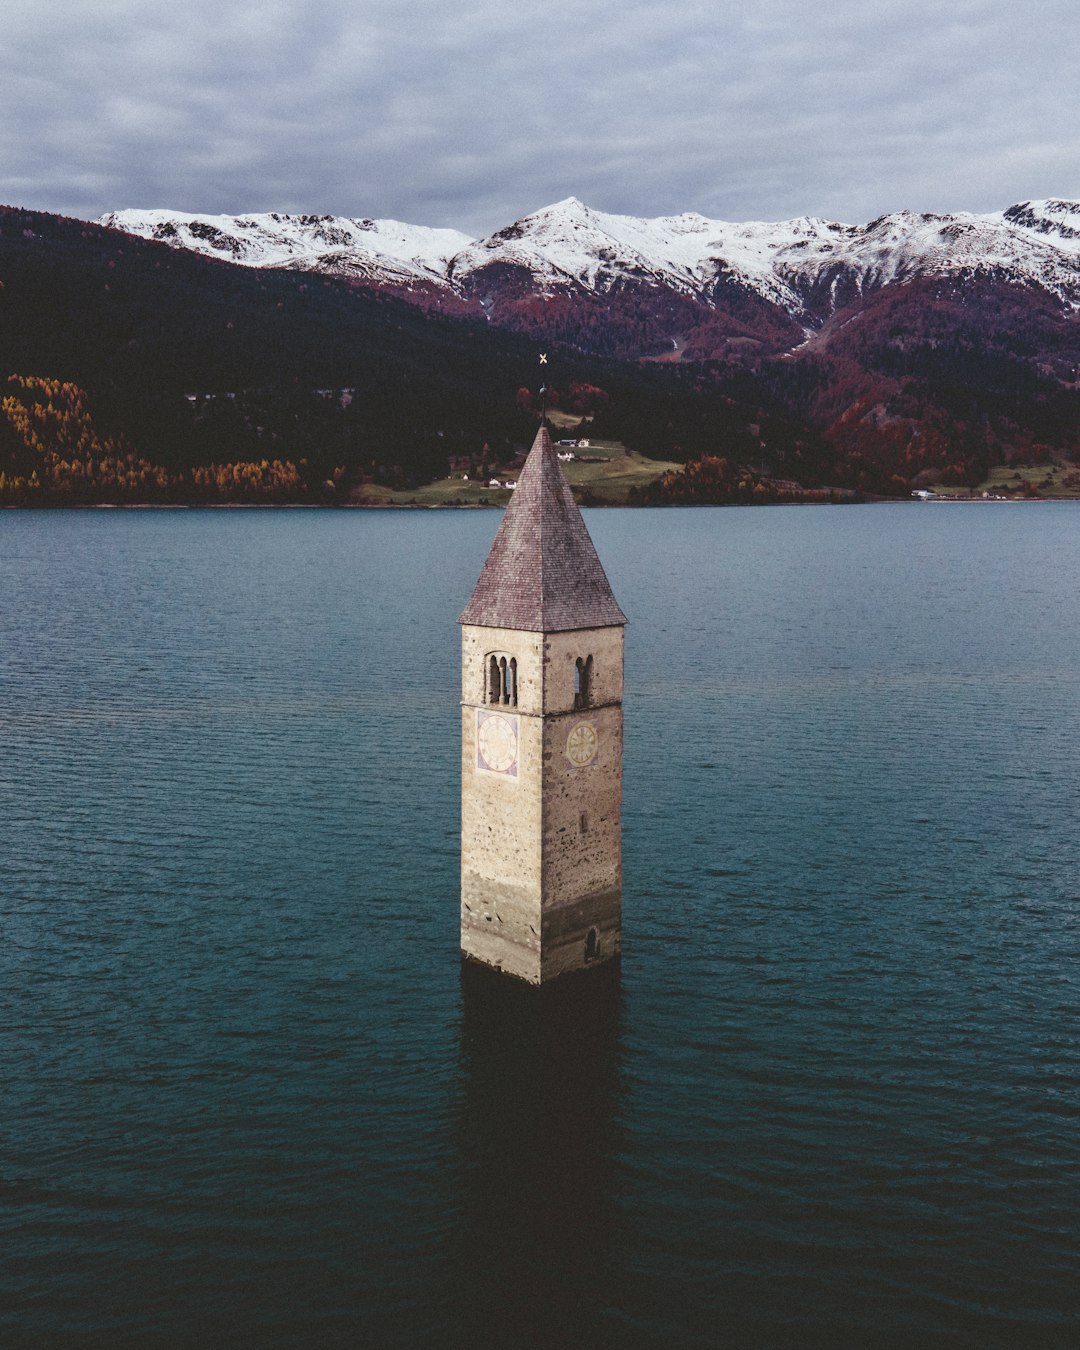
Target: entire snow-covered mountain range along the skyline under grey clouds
807	268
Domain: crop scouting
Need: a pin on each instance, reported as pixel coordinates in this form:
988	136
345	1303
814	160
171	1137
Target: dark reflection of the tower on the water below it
538	1145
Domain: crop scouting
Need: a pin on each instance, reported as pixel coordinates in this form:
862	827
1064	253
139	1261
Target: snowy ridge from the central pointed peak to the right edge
790	263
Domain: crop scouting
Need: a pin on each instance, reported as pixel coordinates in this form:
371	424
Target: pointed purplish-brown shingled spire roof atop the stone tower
543	573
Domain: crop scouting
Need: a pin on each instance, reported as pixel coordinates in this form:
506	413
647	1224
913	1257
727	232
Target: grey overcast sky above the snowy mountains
473	114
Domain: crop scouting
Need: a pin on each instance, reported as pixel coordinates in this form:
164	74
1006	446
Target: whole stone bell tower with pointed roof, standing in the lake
542	740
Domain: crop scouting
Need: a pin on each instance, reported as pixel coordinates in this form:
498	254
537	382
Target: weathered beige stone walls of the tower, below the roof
542	850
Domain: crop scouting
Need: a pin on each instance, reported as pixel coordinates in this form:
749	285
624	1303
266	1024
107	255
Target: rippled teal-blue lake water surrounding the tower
832	1098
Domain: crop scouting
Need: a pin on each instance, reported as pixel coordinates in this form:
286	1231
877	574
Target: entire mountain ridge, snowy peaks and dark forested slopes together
894	375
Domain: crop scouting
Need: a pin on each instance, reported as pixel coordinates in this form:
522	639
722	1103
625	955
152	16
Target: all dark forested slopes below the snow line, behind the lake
133	371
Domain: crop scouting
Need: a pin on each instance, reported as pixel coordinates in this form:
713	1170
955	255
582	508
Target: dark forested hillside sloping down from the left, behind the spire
199	369
